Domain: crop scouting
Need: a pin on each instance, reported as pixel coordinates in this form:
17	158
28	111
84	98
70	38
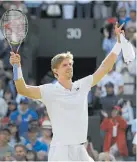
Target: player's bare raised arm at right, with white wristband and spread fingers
110	60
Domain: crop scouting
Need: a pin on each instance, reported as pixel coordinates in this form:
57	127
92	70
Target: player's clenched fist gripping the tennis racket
15	58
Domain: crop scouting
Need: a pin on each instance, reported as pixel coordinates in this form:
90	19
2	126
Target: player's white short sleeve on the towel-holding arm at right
86	82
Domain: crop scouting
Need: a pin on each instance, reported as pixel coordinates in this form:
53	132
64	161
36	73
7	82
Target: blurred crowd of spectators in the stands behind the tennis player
25	128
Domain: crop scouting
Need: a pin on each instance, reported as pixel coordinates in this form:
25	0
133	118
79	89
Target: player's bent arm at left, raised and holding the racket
23	89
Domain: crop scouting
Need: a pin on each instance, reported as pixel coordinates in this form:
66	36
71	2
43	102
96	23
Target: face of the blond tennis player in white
65	69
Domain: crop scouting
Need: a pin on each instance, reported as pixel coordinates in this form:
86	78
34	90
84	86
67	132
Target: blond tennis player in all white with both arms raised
66	101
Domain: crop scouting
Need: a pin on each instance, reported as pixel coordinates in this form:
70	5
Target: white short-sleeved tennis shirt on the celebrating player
68	110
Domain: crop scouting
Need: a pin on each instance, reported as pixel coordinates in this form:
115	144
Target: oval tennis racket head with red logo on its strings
14	25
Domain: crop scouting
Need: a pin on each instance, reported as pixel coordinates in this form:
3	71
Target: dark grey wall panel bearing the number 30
78	36
